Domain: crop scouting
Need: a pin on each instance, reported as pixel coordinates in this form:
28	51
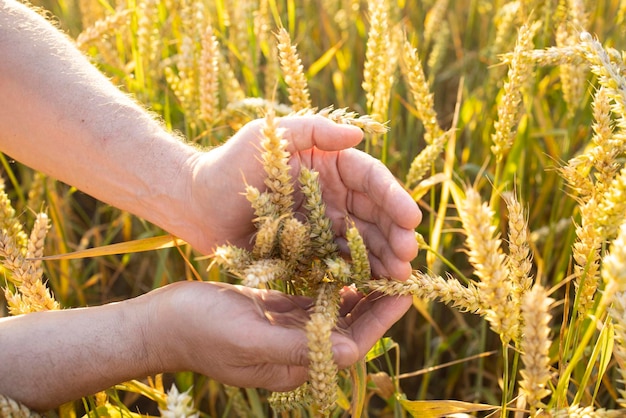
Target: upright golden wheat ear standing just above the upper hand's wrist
209	77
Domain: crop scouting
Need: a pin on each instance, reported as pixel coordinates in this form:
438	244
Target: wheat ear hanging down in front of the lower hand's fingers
322	368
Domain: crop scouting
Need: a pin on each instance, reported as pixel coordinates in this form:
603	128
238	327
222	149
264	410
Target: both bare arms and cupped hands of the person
55	103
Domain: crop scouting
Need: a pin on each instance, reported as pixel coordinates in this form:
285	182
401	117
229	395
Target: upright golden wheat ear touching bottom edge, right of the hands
535	346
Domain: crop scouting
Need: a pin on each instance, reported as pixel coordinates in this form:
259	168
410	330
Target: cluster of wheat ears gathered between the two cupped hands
299	256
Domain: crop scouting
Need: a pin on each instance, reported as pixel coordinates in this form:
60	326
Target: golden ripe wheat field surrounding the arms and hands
503	119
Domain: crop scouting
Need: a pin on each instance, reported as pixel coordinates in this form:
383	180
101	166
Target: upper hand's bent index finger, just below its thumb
364	174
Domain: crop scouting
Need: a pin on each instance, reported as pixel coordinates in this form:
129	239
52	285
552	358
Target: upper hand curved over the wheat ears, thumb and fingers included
353	184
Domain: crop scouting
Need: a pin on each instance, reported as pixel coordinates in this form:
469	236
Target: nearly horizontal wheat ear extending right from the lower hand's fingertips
425	286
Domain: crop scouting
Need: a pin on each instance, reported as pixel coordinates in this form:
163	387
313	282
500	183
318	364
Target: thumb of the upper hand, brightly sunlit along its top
306	132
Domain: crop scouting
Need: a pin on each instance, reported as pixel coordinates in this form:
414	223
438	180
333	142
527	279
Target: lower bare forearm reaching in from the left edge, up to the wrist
48	358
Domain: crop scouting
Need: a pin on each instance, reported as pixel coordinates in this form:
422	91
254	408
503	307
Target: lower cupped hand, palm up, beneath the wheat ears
248	337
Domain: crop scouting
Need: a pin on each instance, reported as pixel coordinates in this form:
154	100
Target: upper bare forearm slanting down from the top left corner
60	115
